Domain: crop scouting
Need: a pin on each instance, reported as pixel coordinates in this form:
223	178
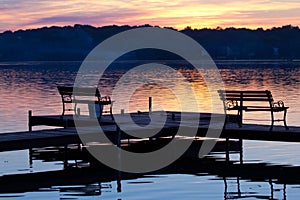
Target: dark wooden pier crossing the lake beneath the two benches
65	132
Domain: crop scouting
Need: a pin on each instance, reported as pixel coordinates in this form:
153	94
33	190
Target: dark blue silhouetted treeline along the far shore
75	42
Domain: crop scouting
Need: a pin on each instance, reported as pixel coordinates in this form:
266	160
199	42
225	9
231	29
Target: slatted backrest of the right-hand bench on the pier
250	95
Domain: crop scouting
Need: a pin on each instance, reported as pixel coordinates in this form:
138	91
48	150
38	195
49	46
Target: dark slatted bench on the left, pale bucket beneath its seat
83	95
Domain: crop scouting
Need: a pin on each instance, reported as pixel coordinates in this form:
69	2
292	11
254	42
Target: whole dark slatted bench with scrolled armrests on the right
240	100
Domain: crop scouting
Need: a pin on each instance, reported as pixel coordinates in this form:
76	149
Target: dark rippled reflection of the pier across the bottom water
94	180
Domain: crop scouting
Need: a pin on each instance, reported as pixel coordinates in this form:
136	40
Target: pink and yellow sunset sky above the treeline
23	14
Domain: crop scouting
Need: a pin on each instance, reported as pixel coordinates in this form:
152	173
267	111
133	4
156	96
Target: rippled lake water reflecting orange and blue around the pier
32	86
